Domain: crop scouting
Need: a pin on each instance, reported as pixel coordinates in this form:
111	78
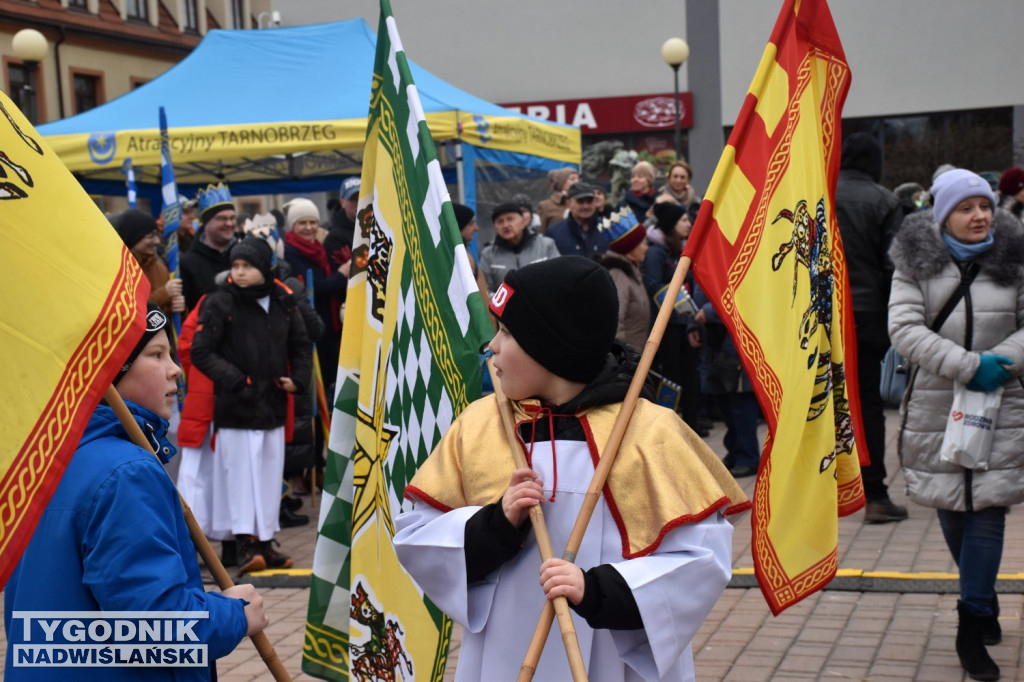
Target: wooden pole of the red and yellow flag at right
608	458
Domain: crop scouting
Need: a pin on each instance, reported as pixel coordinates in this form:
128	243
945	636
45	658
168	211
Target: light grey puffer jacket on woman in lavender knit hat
993	313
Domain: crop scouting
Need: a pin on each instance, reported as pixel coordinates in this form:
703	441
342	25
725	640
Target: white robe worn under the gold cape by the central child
675	587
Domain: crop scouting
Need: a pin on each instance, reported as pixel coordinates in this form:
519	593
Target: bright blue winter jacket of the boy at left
114	539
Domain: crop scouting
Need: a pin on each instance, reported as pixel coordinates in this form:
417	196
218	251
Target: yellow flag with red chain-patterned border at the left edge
73	307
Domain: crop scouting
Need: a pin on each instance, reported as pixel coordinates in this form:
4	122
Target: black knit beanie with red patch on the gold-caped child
564	313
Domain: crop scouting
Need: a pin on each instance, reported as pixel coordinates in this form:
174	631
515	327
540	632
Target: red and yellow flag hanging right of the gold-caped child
766	250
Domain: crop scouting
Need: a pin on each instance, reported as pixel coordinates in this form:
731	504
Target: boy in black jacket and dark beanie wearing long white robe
252	344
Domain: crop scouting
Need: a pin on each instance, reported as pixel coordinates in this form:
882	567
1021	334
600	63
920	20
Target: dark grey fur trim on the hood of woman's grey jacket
919	250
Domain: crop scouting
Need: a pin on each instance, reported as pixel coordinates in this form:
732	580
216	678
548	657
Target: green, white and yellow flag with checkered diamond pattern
410	363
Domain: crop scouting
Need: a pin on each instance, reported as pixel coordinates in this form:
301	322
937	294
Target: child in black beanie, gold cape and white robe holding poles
658	551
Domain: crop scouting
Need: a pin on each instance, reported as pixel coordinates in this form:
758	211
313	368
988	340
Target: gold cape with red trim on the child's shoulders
664	477
